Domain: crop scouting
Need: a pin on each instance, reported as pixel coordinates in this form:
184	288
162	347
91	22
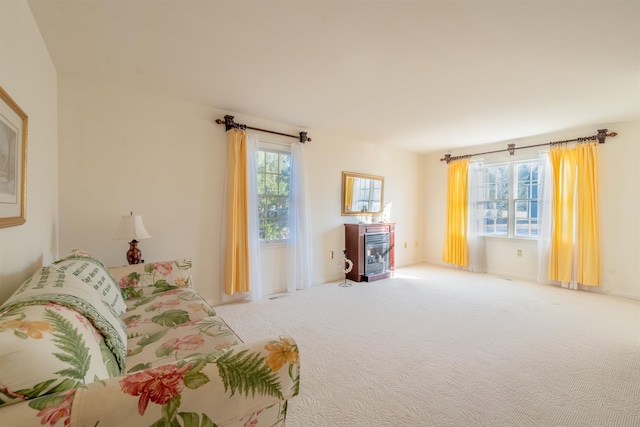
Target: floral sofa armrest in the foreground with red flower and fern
208	389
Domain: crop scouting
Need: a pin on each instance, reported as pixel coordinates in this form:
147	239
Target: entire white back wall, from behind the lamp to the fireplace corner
123	150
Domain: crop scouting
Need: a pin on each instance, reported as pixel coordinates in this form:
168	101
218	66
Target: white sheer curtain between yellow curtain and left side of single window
255	281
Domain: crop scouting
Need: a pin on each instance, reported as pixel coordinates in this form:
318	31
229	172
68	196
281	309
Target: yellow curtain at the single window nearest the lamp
237	242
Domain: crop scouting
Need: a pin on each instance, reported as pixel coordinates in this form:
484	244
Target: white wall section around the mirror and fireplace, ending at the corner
328	156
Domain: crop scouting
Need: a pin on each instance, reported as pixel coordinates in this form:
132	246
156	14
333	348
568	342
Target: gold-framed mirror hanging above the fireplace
362	194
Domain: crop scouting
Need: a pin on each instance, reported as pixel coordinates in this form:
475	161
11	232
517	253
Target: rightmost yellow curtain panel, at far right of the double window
588	232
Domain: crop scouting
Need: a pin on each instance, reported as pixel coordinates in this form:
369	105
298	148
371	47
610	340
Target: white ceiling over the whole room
418	75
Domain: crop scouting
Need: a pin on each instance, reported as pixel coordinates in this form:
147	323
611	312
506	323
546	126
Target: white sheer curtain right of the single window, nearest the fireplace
300	259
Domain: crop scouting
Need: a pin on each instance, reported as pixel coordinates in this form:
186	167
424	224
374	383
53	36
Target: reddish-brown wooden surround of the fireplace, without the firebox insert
355	245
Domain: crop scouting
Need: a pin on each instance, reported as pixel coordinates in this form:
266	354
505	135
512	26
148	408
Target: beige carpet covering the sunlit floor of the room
440	347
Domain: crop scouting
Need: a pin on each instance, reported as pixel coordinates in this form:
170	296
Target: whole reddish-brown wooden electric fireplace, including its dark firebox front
364	256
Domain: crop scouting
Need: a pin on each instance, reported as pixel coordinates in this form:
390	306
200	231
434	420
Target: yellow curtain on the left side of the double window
455	249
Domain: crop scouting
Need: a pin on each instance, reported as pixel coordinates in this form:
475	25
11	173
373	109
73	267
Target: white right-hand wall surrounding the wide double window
619	161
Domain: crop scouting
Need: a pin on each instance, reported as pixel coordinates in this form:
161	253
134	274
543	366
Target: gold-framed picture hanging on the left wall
13	162
